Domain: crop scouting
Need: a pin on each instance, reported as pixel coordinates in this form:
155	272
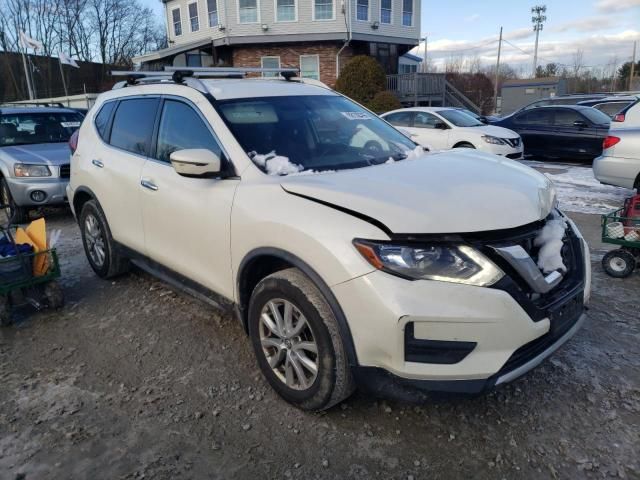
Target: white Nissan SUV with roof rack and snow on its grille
349	255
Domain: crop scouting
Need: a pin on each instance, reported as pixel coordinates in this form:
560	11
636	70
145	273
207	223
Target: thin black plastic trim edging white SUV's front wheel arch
300	264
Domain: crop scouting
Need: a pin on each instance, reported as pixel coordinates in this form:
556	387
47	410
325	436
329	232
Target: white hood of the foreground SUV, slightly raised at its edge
448	192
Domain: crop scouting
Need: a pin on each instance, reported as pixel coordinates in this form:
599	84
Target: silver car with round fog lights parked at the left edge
34	157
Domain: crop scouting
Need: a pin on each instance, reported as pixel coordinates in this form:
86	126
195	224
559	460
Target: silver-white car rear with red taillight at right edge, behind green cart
619	163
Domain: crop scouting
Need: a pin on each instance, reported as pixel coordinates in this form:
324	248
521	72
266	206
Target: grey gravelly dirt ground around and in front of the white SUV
132	380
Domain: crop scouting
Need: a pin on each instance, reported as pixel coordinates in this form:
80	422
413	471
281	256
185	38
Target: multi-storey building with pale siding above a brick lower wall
315	35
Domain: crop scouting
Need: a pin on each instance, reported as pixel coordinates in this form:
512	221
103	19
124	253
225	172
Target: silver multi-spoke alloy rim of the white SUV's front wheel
289	344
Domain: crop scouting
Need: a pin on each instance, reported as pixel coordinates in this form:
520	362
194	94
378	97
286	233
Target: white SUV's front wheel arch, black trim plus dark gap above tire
261	262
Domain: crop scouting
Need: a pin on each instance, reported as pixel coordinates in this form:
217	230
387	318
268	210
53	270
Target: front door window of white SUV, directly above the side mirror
181	127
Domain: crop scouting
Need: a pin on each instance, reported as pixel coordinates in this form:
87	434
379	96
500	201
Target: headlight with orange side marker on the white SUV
445	263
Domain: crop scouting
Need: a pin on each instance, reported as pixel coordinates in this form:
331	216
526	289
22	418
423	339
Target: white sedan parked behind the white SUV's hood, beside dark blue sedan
439	128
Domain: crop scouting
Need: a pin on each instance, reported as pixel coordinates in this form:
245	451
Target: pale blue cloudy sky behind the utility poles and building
603	29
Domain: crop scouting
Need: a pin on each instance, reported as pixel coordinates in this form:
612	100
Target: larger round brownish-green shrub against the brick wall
361	79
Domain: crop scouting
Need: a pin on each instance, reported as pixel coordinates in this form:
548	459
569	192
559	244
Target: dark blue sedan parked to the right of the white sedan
567	131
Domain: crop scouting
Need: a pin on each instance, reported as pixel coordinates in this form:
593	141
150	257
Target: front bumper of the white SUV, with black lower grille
473	338
